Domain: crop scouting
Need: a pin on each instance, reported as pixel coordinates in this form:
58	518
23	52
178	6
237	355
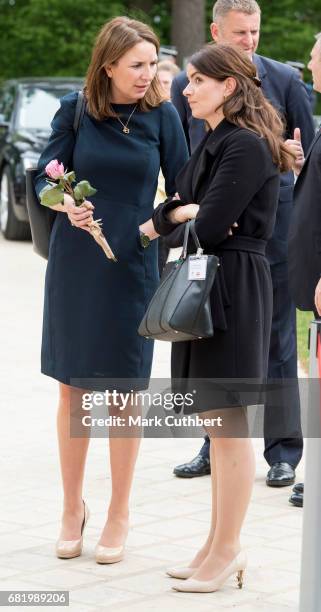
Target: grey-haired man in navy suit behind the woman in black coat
238	22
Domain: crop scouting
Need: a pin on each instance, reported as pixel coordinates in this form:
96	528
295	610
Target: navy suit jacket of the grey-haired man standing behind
283	87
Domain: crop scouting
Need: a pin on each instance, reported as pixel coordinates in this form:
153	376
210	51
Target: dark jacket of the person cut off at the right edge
305	230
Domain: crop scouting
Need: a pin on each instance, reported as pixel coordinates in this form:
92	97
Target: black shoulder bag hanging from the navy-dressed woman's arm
41	218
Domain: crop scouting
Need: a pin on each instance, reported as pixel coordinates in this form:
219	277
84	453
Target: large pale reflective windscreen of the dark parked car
38	106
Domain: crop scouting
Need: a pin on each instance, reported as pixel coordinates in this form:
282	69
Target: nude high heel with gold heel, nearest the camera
237	566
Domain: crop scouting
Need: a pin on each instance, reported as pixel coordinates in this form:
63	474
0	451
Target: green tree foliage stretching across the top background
55	37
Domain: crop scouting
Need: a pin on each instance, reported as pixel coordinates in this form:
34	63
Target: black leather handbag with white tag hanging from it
180	308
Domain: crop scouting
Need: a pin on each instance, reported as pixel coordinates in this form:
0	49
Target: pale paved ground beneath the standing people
169	516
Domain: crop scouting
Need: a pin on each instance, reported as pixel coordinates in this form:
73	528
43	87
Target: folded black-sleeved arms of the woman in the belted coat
241	173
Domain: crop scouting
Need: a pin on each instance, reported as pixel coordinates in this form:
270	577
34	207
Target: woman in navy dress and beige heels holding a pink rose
93	306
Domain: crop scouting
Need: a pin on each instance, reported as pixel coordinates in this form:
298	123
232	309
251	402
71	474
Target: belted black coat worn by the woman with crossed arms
232	177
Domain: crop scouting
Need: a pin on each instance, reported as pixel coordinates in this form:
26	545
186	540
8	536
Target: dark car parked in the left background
26	110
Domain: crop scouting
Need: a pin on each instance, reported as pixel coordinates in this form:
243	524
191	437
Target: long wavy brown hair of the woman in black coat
246	107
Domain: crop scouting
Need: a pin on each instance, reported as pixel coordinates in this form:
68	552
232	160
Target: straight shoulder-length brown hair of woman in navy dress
115	38
